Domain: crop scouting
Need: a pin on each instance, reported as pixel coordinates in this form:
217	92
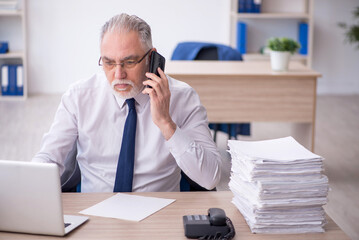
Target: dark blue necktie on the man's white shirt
124	174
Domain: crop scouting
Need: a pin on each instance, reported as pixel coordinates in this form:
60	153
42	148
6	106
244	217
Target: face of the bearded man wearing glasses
121	47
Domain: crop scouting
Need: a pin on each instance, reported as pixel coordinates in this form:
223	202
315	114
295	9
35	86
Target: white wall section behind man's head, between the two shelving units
63	36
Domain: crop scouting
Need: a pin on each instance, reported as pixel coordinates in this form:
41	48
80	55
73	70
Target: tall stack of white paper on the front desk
278	186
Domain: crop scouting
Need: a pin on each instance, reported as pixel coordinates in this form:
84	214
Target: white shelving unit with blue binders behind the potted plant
284	14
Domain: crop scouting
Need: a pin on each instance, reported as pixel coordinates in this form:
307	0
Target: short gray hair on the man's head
127	23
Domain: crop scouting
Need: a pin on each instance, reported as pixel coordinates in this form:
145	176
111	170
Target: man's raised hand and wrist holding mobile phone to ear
160	102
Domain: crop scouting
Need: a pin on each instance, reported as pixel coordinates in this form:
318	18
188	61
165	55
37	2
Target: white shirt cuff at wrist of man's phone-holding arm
179	143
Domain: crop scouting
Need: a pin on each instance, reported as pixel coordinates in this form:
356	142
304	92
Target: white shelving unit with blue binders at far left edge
13	30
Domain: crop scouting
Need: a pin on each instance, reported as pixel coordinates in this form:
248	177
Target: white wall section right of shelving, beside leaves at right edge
338	62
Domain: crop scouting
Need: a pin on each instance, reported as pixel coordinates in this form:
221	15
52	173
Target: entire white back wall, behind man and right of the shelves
63	37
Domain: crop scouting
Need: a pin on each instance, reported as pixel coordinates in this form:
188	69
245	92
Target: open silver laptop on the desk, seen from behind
30	199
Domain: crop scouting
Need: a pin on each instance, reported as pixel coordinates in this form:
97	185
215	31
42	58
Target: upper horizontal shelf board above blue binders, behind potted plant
271	15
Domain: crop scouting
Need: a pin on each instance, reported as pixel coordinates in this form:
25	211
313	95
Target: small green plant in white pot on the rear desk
281	50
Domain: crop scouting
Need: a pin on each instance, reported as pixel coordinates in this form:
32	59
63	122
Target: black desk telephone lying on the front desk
215	225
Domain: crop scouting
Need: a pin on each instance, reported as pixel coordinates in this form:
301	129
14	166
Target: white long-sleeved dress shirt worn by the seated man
91	117
